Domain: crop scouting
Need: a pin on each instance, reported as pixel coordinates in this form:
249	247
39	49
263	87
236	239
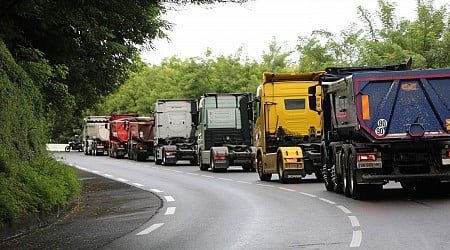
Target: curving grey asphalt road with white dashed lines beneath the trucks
234	210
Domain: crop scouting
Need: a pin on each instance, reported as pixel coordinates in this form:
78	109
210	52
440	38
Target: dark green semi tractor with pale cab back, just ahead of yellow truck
224	132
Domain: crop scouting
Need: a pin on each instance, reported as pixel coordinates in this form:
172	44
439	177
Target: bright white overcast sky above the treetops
225	28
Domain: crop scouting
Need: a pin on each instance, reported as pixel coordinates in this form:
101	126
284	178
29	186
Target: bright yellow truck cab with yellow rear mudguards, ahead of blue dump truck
287	133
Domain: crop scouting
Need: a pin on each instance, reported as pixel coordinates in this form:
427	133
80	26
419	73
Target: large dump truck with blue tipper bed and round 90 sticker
384	123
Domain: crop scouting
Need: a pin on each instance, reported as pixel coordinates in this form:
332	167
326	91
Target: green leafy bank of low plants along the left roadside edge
30	180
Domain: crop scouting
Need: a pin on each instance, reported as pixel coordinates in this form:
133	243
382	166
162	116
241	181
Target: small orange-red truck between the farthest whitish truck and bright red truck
118	134
